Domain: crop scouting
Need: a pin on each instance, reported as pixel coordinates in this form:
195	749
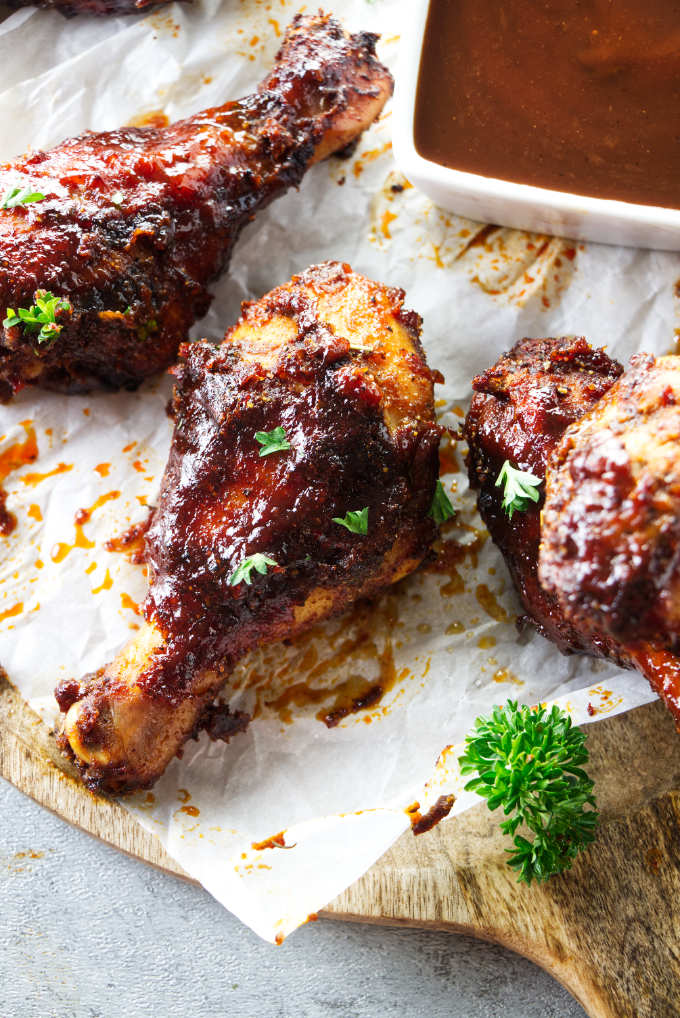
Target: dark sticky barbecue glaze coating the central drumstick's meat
222	502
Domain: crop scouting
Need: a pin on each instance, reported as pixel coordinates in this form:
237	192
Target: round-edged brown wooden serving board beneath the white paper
609	930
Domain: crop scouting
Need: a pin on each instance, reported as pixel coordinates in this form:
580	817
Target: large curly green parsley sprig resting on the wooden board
529	761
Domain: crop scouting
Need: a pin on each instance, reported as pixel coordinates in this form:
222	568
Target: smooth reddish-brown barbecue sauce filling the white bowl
580	97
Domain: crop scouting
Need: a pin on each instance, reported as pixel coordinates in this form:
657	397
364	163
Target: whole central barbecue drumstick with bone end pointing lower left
246	548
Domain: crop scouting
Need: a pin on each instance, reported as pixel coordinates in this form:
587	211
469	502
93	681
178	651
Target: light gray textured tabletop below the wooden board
88	933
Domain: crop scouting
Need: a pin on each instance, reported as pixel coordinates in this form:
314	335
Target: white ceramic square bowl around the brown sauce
521	206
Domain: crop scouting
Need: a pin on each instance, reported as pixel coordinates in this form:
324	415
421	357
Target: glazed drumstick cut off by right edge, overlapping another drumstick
610	548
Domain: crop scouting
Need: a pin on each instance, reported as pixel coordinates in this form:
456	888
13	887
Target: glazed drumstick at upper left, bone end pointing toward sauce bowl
137	222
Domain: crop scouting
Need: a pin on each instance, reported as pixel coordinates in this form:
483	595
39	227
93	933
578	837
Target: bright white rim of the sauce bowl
465	184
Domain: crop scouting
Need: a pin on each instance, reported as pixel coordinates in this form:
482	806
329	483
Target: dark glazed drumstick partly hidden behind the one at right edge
521	410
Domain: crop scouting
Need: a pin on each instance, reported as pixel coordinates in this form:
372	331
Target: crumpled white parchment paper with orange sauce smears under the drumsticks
67	604
